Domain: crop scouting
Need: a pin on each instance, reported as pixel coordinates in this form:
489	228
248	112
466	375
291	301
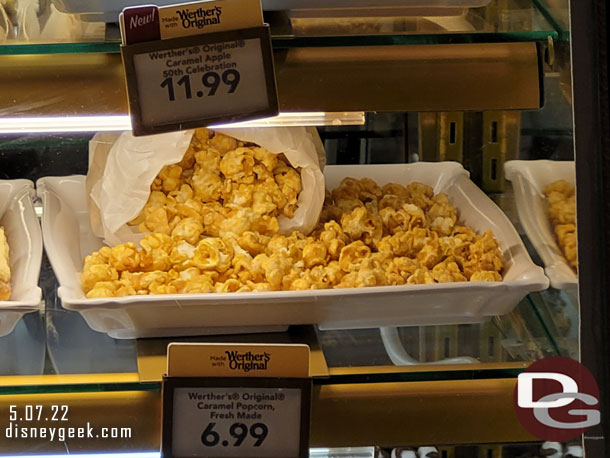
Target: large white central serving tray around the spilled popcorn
68	239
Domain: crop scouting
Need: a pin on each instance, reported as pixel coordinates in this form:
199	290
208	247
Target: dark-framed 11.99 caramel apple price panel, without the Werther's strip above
200	80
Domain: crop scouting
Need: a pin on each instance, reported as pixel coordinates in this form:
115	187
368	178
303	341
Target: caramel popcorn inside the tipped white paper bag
221	185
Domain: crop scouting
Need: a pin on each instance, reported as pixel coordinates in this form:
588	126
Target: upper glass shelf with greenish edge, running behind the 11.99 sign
500	21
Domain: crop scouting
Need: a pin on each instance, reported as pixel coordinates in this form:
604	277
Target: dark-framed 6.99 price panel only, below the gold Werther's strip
220	417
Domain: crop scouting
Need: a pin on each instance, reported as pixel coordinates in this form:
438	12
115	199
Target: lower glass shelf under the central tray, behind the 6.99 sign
65	355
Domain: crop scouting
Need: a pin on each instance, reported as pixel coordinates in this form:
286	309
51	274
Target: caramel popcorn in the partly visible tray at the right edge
561	201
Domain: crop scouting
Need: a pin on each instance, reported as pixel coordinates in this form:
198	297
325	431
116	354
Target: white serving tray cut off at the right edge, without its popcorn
529	178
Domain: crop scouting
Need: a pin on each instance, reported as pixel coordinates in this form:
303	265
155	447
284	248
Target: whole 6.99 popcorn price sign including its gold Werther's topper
255	413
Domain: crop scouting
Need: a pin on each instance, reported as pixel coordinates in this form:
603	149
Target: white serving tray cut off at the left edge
25	251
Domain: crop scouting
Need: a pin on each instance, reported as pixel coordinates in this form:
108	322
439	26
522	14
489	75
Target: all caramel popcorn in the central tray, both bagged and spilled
367	235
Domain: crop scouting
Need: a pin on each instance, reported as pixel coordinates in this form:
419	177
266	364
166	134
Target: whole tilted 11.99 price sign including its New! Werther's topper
195	80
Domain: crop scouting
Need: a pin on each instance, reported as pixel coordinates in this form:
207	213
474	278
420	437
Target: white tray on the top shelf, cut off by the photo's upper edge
109	10
